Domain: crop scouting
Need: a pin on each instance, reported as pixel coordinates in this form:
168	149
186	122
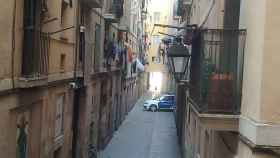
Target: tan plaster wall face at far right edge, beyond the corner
270	96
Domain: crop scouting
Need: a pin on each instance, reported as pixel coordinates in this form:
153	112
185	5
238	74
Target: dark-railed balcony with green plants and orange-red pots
217	70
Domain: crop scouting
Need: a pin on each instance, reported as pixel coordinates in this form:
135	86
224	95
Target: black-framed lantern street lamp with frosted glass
178	57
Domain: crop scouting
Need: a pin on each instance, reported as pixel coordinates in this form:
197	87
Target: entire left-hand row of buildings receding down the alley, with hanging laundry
66	74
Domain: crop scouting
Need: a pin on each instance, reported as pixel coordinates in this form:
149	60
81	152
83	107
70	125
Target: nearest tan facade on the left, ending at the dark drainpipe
38	63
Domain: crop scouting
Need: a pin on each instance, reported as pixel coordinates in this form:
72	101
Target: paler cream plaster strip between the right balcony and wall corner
253	17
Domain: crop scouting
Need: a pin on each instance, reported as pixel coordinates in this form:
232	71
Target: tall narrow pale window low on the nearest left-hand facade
59	115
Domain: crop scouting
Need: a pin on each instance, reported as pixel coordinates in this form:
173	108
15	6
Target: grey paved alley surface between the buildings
144	134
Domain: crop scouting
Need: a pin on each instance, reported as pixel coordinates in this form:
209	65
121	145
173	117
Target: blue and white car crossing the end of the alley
160	103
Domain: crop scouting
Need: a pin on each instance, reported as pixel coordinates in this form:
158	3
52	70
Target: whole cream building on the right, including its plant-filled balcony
230	105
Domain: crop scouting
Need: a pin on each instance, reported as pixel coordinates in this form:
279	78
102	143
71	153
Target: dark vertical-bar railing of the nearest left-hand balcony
35	55
